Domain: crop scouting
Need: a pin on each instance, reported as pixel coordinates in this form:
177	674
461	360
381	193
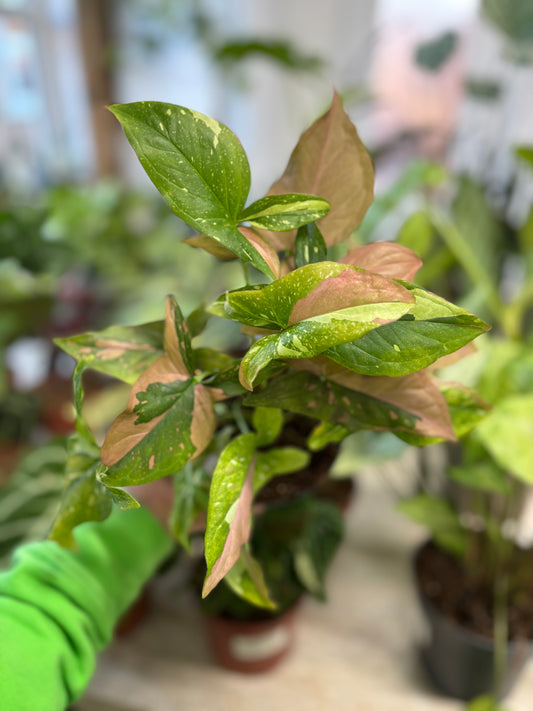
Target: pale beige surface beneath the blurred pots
358	652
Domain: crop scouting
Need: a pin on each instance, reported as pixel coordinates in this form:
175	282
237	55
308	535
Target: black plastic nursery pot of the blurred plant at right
461	662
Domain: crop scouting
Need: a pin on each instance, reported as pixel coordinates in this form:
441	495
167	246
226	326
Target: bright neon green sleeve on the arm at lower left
58	607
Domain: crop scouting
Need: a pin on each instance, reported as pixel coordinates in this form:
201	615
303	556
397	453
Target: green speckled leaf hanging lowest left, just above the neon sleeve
85	499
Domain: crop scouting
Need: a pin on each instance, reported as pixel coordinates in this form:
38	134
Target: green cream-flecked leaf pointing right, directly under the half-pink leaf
432	329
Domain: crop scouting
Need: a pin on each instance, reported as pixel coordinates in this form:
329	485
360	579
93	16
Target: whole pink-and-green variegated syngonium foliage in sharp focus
346	342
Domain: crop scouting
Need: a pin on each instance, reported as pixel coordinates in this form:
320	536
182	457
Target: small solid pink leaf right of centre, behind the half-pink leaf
387	258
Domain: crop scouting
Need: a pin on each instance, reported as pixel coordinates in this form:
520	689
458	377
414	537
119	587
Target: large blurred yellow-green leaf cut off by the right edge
507	434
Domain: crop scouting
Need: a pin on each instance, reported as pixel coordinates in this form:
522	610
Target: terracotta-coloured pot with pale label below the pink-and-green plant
251	646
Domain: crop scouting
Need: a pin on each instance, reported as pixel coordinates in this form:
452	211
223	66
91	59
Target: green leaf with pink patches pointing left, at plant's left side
120	351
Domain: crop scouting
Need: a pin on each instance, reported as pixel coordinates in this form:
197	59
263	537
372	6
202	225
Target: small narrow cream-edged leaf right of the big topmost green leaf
282	213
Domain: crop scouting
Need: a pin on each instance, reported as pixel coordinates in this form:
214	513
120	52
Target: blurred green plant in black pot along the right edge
477	520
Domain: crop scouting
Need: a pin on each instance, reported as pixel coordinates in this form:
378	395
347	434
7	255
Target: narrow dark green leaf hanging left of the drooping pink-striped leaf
191	495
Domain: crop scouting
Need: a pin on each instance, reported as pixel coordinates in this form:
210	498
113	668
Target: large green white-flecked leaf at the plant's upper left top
198	165
